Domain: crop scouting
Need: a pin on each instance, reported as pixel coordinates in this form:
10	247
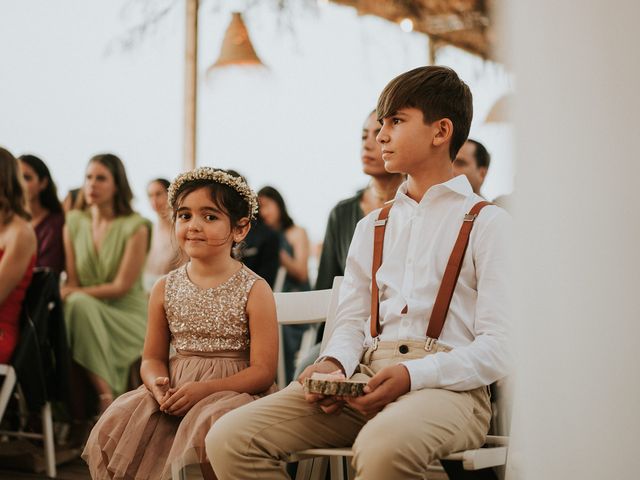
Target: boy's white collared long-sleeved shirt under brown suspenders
418	241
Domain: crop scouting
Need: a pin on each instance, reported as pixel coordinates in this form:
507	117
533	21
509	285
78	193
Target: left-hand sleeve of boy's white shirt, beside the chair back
347	340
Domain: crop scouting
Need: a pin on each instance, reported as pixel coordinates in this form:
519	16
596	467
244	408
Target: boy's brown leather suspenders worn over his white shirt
449	279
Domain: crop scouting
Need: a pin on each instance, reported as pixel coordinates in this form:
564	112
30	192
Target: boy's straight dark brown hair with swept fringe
436	91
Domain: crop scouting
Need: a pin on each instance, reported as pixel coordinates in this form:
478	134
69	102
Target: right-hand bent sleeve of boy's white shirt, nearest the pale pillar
487	358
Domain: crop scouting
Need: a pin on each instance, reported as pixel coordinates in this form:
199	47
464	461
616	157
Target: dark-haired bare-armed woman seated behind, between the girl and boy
294	257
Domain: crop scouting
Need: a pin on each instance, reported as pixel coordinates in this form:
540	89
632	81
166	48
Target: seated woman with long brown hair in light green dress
105	306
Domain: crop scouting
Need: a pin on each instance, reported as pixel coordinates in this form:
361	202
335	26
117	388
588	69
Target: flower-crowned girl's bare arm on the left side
154	368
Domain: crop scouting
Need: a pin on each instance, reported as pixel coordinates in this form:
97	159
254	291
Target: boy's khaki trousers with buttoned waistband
253	441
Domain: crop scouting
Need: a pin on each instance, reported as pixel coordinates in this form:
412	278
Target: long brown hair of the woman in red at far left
12	196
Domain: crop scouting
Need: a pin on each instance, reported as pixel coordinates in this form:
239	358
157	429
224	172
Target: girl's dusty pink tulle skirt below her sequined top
134	440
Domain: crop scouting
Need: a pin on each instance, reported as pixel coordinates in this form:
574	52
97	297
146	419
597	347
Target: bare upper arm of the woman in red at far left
20	247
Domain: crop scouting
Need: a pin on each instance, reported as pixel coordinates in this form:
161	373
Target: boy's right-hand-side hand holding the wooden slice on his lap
383	388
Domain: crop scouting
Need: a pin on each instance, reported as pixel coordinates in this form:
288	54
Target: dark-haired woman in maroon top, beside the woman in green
47	217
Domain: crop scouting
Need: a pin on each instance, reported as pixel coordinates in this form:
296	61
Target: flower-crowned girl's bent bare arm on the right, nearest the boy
261	373
